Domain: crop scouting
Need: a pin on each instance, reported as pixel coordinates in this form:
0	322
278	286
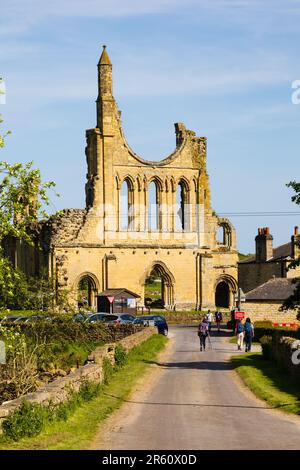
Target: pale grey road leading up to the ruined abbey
192	400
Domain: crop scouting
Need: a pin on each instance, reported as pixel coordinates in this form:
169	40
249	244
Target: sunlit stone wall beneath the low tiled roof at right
261	311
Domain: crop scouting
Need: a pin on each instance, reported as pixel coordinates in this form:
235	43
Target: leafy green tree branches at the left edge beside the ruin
23	199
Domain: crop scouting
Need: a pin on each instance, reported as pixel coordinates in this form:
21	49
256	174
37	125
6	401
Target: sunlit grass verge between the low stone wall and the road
80	429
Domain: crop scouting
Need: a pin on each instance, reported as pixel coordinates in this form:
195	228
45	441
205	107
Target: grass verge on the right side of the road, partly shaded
269	382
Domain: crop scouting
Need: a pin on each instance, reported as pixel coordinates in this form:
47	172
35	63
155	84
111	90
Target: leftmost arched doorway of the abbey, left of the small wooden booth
87	288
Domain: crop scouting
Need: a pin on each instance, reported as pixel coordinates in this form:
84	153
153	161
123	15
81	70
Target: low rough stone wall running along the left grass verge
58	390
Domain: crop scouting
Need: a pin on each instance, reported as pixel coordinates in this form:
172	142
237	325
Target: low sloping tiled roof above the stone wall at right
278	288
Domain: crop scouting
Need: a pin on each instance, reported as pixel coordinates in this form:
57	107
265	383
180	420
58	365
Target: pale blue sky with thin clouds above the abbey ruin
223	67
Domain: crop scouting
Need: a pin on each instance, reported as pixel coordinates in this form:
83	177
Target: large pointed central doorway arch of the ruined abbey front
160	270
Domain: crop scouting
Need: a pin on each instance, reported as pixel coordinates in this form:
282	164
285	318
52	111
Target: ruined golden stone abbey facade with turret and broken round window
142	217
